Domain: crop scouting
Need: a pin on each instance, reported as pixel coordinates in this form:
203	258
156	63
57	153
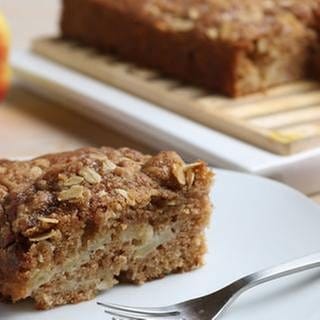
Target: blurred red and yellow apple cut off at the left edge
4	53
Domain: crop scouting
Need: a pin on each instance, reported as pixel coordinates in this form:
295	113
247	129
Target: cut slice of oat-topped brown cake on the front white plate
73	224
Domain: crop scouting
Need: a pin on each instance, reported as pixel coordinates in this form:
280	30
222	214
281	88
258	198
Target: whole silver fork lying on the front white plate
211	306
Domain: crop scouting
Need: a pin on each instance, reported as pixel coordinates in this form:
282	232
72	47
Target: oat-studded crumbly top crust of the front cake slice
41	198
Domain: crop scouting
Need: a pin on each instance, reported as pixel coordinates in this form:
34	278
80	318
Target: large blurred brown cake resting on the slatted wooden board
229	46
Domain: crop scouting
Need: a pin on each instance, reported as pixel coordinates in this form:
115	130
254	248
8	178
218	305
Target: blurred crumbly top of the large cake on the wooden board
230	20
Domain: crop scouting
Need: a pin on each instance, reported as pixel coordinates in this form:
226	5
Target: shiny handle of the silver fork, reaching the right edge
306	263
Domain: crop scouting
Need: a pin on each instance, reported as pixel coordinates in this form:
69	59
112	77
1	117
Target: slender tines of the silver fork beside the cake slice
141	312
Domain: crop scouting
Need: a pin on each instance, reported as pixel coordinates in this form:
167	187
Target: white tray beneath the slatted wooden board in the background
161	128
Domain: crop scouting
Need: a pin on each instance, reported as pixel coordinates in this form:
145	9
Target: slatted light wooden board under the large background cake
283	120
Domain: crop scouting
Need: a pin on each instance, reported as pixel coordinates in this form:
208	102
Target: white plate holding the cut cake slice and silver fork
257	223
